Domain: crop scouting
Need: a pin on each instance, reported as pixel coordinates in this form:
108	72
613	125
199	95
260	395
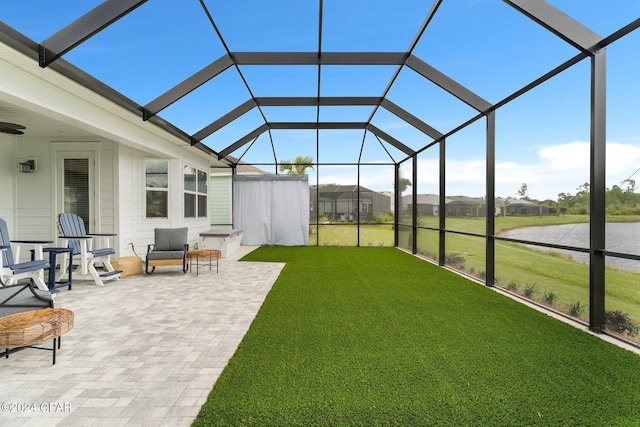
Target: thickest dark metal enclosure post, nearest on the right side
597	192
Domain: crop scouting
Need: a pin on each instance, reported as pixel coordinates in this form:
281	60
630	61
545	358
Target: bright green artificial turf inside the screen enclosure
374	336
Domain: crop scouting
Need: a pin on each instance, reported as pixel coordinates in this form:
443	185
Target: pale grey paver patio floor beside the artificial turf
144	351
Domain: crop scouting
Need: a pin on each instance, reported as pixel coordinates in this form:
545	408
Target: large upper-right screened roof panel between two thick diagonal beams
490	48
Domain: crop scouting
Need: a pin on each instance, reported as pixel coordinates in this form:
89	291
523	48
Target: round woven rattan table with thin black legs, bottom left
28	328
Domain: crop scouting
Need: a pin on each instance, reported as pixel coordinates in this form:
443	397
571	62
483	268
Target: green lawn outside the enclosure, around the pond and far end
516	267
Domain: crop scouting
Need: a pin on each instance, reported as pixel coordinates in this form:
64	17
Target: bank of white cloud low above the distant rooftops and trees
548	171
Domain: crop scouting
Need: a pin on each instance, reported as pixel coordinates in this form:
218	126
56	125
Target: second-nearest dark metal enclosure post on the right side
491	199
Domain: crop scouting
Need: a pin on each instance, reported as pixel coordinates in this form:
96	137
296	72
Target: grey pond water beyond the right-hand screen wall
620	237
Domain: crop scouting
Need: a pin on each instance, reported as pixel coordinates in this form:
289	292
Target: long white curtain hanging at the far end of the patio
272	209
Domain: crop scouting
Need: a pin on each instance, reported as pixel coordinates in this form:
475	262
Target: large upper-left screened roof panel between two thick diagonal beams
144	64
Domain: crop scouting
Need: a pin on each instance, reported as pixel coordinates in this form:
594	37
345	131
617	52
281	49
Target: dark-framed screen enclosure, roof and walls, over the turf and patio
476	121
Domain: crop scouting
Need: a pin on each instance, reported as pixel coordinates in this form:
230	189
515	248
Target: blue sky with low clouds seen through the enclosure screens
487	46
